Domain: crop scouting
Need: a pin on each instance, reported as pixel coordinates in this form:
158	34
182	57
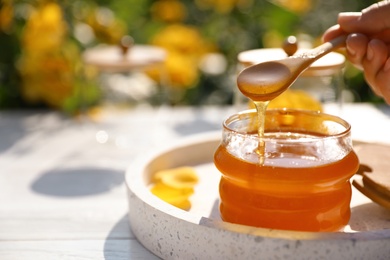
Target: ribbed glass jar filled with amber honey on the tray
303	183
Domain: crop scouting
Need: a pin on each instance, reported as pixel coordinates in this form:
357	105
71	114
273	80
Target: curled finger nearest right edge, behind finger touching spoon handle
373	63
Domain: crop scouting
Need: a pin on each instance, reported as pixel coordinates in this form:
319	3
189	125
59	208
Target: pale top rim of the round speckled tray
138	192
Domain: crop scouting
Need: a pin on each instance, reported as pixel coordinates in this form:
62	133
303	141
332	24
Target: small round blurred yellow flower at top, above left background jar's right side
168	11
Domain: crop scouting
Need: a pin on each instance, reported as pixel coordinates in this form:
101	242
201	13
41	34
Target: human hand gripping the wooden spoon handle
368	44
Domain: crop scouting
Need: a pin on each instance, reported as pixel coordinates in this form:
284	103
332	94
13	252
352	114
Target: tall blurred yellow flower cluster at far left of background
46	64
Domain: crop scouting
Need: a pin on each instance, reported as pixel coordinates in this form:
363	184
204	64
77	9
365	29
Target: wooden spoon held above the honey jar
267	80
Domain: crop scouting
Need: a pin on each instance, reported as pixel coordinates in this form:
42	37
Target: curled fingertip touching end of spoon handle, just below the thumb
356	45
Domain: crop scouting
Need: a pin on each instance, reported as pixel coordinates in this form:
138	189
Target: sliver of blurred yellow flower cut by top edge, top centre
223	6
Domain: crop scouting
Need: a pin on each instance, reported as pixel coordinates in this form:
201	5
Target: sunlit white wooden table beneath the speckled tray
62	191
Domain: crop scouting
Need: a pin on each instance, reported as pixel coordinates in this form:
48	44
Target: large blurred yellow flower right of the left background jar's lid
185	46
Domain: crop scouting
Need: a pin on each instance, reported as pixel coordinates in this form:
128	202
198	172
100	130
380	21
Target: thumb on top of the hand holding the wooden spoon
371	20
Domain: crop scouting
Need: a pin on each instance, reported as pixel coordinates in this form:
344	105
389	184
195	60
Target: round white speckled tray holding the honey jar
172	233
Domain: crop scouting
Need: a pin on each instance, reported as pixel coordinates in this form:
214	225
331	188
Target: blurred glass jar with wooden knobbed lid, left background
123	76
